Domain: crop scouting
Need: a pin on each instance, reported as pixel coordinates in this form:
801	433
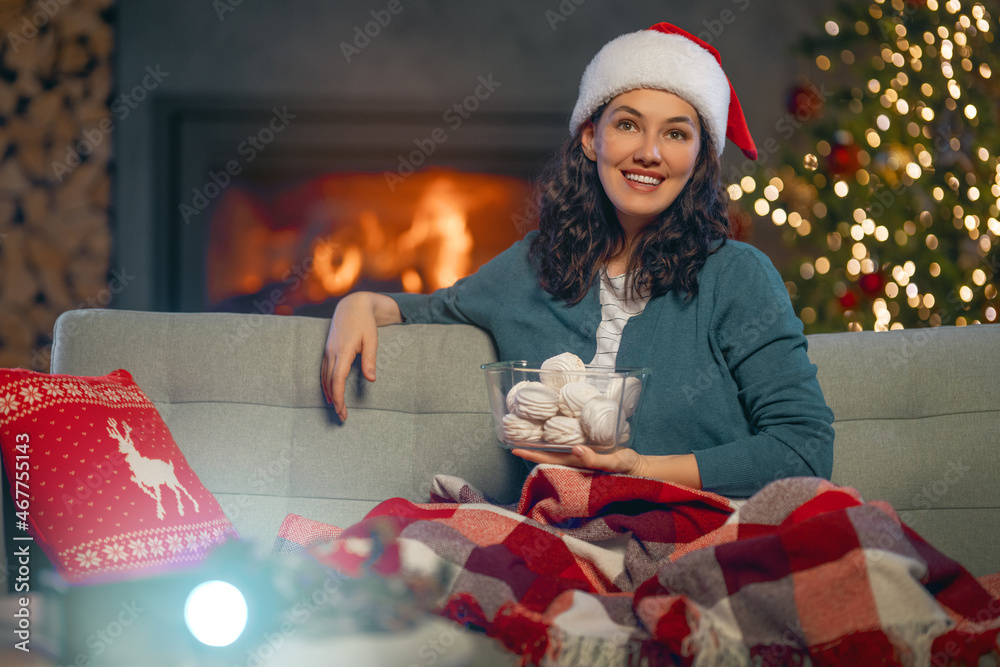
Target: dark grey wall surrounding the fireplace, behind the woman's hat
430	54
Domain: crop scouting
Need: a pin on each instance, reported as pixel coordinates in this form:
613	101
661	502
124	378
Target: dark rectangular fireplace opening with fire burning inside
285	207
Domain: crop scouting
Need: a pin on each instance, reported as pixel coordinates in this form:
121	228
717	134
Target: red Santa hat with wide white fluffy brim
664	57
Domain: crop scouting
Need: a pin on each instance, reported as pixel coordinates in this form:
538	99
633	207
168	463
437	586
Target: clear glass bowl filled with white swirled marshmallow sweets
553	410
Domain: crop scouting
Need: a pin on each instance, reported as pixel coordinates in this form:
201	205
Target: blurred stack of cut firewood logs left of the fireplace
55	150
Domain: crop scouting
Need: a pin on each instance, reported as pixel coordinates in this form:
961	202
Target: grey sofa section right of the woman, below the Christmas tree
917	420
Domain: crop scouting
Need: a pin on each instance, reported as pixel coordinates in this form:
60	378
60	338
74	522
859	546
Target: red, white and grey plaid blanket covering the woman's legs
600	569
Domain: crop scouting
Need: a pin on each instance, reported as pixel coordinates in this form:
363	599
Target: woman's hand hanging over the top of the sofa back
353	331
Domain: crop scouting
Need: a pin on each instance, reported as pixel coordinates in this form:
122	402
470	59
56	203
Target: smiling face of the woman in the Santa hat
646	145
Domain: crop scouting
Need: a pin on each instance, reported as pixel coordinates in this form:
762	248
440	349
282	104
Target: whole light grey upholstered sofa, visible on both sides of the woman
917	420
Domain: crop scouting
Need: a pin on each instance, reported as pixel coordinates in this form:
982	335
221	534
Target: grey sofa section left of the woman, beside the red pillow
241	396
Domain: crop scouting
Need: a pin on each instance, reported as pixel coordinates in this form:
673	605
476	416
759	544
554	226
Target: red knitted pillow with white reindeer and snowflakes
98	481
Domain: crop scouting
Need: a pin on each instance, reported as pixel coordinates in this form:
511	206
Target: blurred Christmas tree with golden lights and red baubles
889	184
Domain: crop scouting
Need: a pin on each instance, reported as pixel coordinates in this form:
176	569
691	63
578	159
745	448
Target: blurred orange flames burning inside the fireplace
348	232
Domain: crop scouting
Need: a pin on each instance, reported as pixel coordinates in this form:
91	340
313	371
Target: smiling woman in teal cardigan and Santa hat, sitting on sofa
631	266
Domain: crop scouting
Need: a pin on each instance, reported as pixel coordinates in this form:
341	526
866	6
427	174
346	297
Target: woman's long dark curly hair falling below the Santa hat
579	230
